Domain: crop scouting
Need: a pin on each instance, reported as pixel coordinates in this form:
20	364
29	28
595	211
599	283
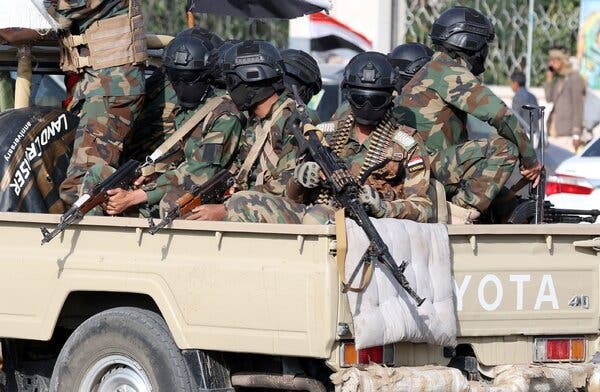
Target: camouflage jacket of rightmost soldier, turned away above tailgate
443	92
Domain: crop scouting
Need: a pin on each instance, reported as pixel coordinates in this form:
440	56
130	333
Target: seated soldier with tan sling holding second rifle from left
254	77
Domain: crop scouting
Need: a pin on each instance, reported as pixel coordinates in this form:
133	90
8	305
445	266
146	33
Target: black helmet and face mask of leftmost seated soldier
184	60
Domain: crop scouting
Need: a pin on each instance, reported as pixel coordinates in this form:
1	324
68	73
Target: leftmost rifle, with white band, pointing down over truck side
121	178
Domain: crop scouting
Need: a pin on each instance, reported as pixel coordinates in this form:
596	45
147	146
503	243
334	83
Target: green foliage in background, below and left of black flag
169	17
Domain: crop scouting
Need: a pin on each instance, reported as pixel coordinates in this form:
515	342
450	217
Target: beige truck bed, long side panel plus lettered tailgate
273	289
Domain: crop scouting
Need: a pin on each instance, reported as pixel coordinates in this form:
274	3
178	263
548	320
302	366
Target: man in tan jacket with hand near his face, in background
565	88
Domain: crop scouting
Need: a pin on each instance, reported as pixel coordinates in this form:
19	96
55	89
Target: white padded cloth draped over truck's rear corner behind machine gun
384	313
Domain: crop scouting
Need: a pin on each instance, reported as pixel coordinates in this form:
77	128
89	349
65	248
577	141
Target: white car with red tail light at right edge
575	183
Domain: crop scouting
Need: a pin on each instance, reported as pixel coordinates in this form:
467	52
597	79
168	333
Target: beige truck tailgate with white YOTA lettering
525	279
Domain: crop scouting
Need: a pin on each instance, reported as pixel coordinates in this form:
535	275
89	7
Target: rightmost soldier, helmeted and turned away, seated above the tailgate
443	92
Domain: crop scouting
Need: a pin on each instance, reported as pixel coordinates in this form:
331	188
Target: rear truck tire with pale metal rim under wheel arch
121	347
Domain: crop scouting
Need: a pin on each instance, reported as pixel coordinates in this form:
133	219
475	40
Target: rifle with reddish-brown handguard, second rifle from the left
211	192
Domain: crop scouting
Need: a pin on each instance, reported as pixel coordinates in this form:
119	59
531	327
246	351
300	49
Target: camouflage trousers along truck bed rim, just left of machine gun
257	207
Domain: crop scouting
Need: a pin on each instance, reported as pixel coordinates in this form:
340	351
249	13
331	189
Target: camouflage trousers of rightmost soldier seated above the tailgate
474	172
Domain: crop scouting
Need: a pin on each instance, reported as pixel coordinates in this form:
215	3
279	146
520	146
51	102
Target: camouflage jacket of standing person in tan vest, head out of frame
109	82
